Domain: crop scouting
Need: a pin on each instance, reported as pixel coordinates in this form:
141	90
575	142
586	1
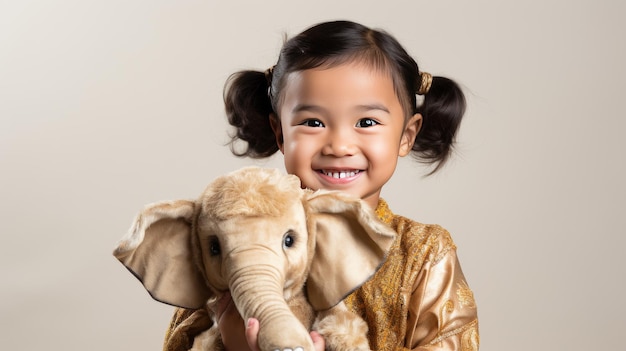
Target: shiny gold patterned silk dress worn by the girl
417	300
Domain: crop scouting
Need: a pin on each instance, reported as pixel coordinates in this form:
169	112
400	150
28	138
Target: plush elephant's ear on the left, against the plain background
158	250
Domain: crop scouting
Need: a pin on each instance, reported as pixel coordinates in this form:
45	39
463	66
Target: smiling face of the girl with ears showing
343	128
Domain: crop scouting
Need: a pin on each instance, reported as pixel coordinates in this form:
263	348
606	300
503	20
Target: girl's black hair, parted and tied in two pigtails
251	96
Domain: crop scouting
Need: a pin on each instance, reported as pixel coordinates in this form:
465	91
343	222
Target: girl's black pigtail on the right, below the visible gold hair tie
442	110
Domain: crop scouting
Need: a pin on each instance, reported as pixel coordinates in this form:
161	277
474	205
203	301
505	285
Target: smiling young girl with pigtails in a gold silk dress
341	106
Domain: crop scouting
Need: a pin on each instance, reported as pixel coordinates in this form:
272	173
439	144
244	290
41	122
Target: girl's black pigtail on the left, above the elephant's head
248	109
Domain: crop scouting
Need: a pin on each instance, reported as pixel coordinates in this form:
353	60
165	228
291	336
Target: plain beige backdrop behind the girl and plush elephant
108	105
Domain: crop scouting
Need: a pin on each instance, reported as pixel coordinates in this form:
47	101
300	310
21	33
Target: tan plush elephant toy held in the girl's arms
287	255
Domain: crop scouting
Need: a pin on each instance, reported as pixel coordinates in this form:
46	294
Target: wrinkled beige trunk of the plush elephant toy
258	292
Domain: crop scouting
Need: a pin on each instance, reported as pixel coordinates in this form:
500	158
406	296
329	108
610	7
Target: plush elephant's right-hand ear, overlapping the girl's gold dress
350	245
